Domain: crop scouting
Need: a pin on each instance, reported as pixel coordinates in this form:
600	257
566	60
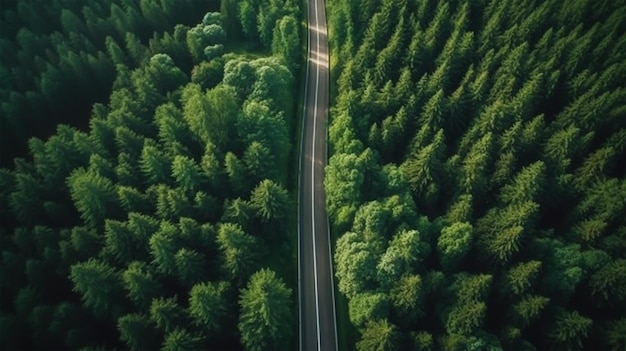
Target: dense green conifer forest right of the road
476	178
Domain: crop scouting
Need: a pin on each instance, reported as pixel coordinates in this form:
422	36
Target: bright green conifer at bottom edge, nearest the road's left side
265	319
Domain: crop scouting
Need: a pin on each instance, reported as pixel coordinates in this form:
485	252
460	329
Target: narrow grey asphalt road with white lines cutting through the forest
318	329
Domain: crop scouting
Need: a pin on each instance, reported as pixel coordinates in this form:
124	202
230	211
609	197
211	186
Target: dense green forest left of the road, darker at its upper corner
144	195
